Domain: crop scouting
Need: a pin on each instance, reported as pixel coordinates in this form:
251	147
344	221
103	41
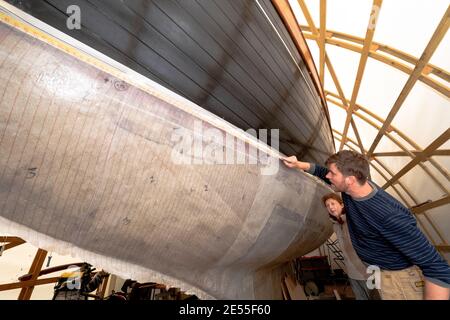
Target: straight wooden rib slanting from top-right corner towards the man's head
431	47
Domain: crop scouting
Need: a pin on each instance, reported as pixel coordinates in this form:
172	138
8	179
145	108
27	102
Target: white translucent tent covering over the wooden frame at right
401	32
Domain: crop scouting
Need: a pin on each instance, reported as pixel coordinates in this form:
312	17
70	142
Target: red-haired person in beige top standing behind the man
354	267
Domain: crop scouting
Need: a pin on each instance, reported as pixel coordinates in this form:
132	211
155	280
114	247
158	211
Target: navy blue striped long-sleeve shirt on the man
385	233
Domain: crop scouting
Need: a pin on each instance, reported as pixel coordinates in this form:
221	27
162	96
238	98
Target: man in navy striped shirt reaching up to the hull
383	231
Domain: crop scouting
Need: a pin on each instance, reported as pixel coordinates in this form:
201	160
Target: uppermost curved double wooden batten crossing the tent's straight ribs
385	58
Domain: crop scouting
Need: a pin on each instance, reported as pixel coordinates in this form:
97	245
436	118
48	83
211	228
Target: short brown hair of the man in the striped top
351	163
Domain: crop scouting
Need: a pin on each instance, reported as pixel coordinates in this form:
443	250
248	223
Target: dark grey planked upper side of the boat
221	54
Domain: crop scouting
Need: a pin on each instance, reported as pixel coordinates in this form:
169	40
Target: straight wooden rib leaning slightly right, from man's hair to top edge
362	65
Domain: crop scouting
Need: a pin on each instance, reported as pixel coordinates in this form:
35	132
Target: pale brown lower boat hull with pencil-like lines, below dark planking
87	168
